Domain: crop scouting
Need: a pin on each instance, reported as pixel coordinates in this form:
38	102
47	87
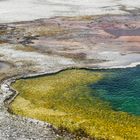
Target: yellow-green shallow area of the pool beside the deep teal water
66	101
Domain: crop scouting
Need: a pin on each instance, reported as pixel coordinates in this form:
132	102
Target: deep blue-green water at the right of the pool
121	89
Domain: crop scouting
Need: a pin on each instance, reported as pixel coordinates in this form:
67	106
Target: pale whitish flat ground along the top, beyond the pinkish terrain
25	10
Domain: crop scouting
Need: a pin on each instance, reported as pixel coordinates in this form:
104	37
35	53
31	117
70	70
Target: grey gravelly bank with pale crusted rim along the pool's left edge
25	128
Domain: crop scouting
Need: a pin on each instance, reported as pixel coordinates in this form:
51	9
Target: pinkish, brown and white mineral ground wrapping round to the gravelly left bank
49	45
